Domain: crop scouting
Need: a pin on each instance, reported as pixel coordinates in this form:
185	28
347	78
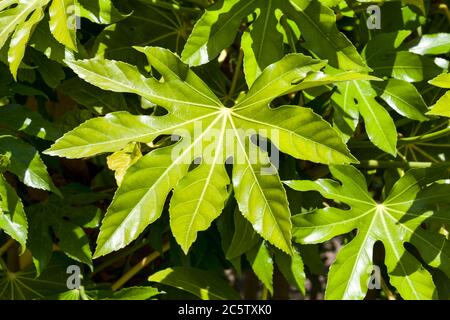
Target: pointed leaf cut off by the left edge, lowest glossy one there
12	216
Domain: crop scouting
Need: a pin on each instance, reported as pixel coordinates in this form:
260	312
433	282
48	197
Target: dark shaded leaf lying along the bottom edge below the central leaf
203	284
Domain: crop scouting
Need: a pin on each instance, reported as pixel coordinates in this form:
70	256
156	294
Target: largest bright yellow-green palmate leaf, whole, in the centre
210	132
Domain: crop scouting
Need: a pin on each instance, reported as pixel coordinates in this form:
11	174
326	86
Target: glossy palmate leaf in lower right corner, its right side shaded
397	220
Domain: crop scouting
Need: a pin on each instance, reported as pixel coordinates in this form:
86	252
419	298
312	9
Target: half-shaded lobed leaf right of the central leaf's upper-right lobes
361	97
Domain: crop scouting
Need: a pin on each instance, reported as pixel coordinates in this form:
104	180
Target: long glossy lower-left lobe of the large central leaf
147	184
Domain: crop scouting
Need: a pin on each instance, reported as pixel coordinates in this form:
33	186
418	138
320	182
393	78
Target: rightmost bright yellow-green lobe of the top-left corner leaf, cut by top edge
62	22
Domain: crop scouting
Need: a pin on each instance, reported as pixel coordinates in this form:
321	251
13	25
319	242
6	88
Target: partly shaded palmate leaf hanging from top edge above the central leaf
263	42
